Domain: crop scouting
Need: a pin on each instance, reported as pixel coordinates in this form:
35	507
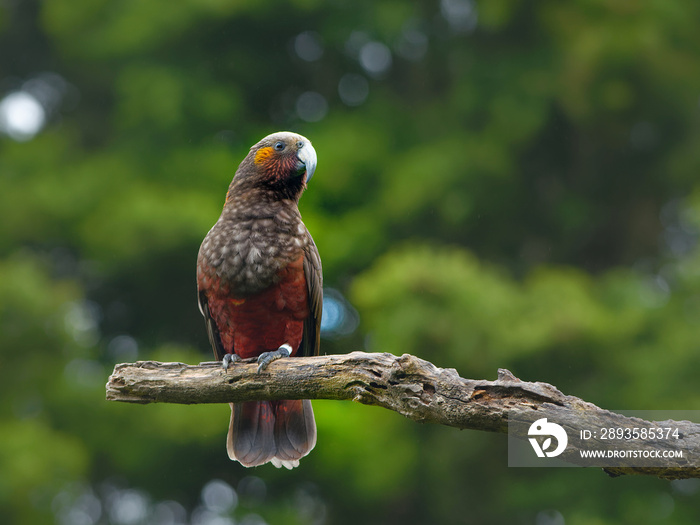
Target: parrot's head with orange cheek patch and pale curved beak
282	162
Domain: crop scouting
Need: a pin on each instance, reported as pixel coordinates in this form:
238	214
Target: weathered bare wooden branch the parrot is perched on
414	388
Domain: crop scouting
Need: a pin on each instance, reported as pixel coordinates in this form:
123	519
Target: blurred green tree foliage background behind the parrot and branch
500	184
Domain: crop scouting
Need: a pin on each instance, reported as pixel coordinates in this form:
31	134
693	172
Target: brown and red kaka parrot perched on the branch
260	291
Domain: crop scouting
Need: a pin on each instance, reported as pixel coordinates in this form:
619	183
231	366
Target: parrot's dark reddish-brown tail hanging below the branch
279	432
